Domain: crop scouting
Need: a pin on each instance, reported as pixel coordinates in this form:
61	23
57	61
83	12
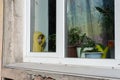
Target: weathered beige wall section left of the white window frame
13	31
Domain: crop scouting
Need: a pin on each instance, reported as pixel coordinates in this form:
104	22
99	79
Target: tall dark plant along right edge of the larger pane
108	21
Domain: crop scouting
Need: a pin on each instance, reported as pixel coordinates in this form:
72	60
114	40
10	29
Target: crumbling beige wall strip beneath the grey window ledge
29	75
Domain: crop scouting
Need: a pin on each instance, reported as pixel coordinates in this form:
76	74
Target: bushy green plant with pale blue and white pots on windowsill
87	48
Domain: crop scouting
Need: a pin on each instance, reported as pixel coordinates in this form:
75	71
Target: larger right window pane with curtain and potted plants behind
90	25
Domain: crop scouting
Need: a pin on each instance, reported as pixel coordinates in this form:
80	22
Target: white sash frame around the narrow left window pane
59	31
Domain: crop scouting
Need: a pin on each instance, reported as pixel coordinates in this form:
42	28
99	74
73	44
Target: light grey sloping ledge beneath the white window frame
84	71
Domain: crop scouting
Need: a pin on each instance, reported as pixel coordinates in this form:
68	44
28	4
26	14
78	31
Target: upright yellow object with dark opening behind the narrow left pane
38	46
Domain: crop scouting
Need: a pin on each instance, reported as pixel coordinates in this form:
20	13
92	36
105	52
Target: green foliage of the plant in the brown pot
73	36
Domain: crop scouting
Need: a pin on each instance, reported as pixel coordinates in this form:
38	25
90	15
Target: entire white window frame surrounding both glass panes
59	56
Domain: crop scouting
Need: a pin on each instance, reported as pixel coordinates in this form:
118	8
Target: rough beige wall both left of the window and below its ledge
13	42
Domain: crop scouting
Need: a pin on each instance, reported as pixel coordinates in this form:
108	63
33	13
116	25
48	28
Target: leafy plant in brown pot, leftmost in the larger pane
73	38
